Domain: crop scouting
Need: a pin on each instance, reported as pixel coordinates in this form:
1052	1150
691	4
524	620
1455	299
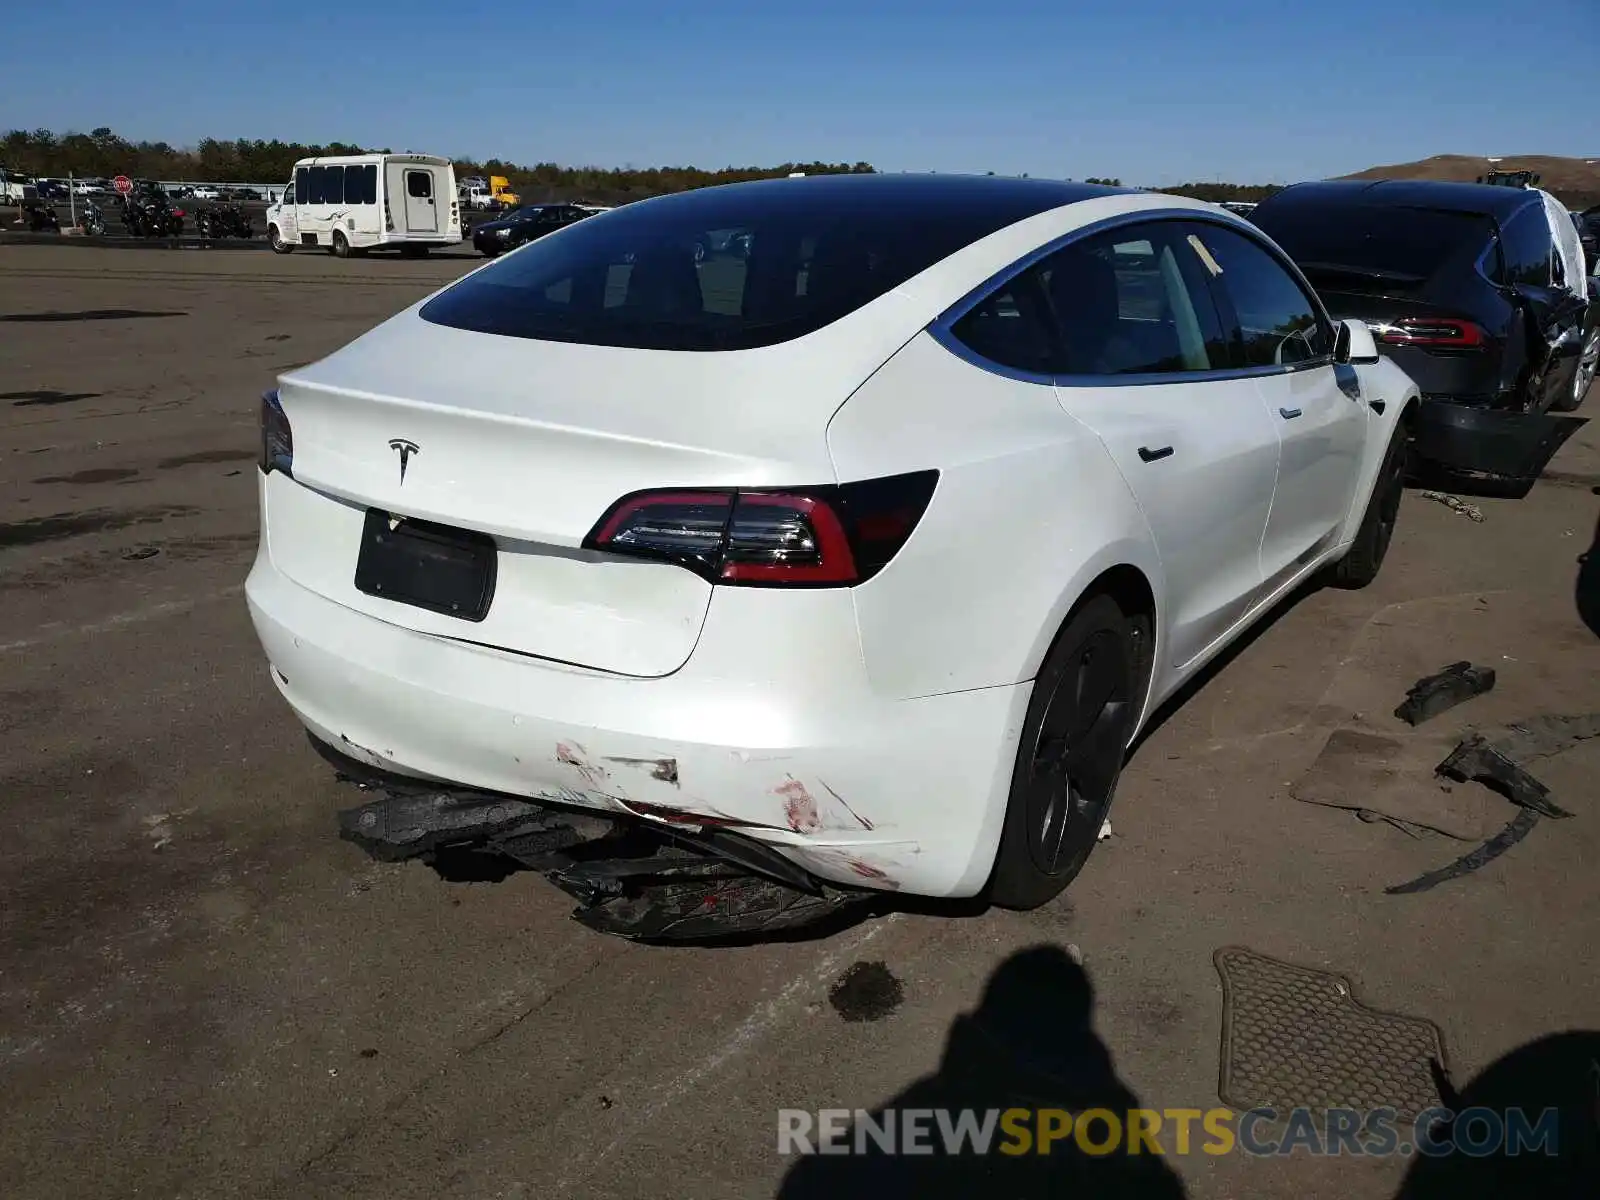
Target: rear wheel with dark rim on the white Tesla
1071	753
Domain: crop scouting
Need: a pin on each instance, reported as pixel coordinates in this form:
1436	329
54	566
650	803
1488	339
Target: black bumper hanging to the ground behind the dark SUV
1490	442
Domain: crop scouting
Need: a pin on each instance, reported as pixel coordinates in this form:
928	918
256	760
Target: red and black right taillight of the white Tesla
826	537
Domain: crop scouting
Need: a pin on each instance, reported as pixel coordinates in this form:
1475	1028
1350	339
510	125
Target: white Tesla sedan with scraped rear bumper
866	518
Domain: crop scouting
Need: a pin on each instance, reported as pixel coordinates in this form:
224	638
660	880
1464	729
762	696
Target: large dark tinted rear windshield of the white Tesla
729	268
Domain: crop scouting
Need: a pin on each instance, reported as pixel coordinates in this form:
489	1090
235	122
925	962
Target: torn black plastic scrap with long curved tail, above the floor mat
1497	764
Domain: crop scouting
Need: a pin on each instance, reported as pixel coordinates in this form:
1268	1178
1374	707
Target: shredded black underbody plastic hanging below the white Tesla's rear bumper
634	881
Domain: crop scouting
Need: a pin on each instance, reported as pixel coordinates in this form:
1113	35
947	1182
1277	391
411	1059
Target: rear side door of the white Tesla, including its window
1148	370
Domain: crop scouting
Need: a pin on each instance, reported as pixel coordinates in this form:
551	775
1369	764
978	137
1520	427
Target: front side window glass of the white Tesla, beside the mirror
1278	321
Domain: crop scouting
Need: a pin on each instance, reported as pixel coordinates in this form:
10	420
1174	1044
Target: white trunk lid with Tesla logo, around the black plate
532	442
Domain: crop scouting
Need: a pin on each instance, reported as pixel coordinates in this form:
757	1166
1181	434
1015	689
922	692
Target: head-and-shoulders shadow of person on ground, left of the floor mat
1030	1046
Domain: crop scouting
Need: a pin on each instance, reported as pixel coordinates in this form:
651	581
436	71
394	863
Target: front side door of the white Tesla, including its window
1287	340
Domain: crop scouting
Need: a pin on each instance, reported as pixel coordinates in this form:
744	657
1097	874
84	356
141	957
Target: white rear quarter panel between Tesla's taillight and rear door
1030	510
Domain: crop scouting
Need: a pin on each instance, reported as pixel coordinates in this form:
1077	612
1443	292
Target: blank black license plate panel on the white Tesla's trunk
434	567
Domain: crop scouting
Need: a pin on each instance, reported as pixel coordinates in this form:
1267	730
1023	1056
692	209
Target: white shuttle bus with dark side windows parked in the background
359	202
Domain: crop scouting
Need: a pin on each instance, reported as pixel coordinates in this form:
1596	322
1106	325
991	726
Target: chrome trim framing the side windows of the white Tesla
942	330
